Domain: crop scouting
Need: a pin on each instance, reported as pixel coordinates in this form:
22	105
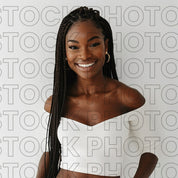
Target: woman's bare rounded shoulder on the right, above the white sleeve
127	96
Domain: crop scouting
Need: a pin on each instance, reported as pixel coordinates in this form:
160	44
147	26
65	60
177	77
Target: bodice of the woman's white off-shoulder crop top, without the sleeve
94	149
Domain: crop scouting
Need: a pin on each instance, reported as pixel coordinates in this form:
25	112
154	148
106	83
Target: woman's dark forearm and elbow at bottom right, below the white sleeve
146	165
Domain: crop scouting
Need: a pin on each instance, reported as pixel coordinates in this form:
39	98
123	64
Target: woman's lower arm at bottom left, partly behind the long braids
41	165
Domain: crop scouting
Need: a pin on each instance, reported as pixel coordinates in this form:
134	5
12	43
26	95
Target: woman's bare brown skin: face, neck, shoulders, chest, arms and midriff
95	94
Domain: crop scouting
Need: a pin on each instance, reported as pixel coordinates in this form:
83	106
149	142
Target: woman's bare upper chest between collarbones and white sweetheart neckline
93	110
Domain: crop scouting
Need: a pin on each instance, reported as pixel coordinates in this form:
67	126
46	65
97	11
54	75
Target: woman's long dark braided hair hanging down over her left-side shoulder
64	78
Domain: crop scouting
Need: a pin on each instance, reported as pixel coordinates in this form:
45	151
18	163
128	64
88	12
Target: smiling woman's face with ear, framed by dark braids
85	49
